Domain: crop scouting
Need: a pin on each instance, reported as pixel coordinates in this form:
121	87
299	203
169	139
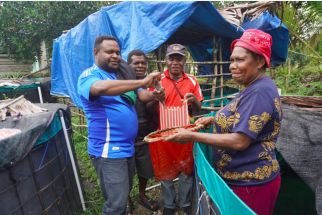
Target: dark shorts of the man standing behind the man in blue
143	163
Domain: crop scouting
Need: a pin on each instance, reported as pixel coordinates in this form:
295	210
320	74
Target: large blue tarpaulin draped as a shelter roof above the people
146	26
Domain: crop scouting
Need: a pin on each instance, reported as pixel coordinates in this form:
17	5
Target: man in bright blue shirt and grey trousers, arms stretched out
112	120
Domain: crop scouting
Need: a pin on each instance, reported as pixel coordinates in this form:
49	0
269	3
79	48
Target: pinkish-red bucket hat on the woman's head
256	41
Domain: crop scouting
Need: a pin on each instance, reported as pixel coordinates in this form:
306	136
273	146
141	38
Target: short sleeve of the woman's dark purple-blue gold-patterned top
254	111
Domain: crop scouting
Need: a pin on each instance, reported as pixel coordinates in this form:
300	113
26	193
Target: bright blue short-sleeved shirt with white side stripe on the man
112	122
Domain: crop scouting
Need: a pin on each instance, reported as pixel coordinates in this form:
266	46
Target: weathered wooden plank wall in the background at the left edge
10	65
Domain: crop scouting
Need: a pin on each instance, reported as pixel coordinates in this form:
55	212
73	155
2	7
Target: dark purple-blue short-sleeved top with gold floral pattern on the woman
255	112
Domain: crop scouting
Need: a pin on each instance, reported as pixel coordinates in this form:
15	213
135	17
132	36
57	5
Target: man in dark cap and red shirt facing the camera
178	160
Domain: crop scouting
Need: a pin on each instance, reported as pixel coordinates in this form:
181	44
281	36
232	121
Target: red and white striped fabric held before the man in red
173	116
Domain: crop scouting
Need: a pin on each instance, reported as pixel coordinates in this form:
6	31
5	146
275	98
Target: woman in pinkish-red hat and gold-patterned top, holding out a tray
246	130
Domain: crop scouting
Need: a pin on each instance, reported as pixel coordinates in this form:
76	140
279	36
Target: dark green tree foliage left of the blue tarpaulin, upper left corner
23	25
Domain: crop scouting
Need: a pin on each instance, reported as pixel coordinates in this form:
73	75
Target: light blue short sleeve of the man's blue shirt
85	81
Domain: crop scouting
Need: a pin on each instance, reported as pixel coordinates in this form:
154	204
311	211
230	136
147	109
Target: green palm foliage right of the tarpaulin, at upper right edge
302	75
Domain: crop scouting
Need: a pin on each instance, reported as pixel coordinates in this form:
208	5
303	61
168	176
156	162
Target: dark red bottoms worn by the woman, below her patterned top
261	198
